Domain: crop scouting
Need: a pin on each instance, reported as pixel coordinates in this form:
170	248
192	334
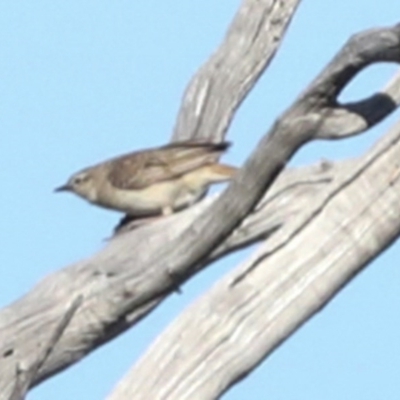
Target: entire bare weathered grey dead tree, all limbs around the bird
287	209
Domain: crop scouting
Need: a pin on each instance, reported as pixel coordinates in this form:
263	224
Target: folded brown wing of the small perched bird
144	168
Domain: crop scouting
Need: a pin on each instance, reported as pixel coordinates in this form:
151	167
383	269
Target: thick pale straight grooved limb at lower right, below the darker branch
225	334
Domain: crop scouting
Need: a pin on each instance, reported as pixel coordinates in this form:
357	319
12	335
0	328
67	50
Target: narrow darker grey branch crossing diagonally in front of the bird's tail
311	117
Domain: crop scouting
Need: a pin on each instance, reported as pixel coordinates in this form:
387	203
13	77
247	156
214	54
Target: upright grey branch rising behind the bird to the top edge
221	85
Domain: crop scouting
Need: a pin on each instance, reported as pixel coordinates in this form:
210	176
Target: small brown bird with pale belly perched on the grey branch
153	181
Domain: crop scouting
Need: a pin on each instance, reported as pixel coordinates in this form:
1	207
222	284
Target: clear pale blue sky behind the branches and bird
84	81
